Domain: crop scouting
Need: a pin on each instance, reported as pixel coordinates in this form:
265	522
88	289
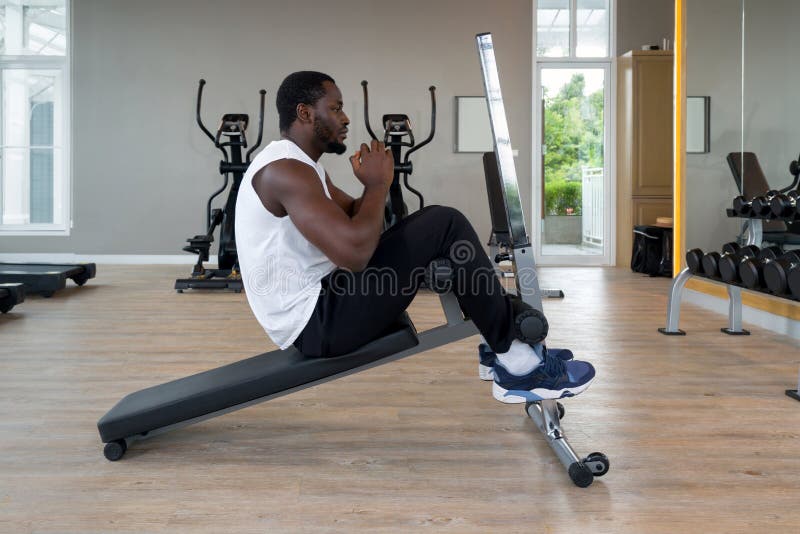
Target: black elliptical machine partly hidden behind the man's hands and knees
396	127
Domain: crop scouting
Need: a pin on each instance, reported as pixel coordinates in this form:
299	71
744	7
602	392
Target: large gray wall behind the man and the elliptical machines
142	170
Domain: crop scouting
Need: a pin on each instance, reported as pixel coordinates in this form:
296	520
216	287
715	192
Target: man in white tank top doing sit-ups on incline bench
320	275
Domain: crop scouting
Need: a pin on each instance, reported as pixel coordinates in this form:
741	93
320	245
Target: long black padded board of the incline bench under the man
259	377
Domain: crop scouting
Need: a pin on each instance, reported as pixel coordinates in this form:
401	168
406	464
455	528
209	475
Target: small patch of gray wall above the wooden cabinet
642	22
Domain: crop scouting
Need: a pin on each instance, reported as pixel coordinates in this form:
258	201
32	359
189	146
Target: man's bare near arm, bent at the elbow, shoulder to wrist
291	187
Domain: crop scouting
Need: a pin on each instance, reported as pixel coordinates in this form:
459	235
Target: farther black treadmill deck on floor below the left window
46	278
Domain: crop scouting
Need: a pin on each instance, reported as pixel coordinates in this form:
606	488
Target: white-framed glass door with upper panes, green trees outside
573	84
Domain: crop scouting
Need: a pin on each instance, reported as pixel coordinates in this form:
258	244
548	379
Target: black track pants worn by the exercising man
355	308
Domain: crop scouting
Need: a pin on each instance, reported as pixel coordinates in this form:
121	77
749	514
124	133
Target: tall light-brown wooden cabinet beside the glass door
644	143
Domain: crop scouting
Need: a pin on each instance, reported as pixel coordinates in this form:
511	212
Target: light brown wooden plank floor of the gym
700	435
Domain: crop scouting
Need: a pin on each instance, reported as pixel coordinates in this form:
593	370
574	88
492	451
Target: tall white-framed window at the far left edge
34	166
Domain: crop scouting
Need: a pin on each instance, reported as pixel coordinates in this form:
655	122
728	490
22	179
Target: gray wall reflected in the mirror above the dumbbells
770	114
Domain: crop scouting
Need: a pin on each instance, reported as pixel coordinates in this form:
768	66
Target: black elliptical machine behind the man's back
230	139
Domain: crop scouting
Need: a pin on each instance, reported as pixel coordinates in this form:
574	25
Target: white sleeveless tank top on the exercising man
280	268
